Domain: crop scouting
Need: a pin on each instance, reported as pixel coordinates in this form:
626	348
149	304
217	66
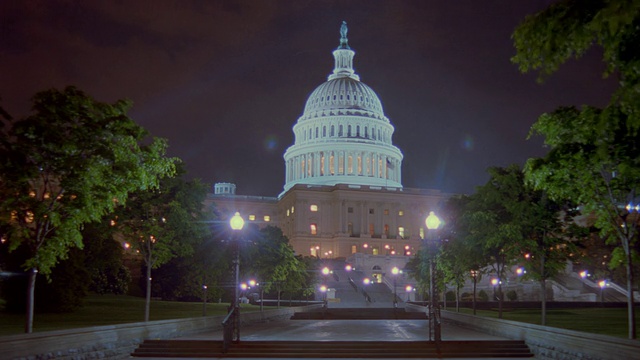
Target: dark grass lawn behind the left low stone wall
109	310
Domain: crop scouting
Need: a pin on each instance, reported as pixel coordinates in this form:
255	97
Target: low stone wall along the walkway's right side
549	342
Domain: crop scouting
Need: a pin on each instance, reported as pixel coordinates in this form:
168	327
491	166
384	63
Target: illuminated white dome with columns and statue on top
343	135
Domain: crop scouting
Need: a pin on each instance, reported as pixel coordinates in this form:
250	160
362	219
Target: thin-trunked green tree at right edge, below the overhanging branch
594	160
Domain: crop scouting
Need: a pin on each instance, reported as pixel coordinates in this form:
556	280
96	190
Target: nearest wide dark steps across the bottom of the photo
334	349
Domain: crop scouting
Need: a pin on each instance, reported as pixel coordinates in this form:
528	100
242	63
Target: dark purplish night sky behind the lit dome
225	81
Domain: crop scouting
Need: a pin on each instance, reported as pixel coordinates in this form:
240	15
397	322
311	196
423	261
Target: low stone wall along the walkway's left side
119	341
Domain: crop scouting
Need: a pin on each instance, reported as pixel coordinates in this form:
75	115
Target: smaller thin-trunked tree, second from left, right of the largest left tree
165	222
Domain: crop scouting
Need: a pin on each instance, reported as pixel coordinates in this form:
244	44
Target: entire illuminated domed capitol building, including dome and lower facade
343	195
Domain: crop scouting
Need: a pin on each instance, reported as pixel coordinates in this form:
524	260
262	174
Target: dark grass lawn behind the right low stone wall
606	321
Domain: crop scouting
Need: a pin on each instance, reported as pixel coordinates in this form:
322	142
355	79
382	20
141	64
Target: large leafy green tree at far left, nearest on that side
69	163
